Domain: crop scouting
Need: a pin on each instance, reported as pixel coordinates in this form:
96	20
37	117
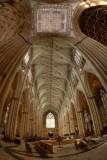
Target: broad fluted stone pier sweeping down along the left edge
11	53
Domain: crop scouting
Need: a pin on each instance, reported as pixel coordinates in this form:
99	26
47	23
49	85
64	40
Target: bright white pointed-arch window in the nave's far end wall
50	120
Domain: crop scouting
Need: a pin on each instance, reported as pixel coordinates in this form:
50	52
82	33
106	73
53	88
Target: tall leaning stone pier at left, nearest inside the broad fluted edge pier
13	112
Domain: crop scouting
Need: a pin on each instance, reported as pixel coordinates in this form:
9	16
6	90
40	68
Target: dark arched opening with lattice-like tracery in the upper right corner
93	23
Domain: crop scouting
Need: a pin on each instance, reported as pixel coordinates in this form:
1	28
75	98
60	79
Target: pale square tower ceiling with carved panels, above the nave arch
51	18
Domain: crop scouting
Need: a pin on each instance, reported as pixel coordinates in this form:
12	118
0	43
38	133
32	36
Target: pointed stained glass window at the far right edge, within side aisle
103	95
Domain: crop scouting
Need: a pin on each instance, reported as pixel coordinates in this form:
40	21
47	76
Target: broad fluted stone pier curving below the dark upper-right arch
95	53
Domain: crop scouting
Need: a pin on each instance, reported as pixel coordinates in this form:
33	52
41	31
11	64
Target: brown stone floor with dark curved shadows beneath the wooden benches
10	151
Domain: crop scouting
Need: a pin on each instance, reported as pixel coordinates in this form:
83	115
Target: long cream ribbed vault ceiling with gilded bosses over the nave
51	67
